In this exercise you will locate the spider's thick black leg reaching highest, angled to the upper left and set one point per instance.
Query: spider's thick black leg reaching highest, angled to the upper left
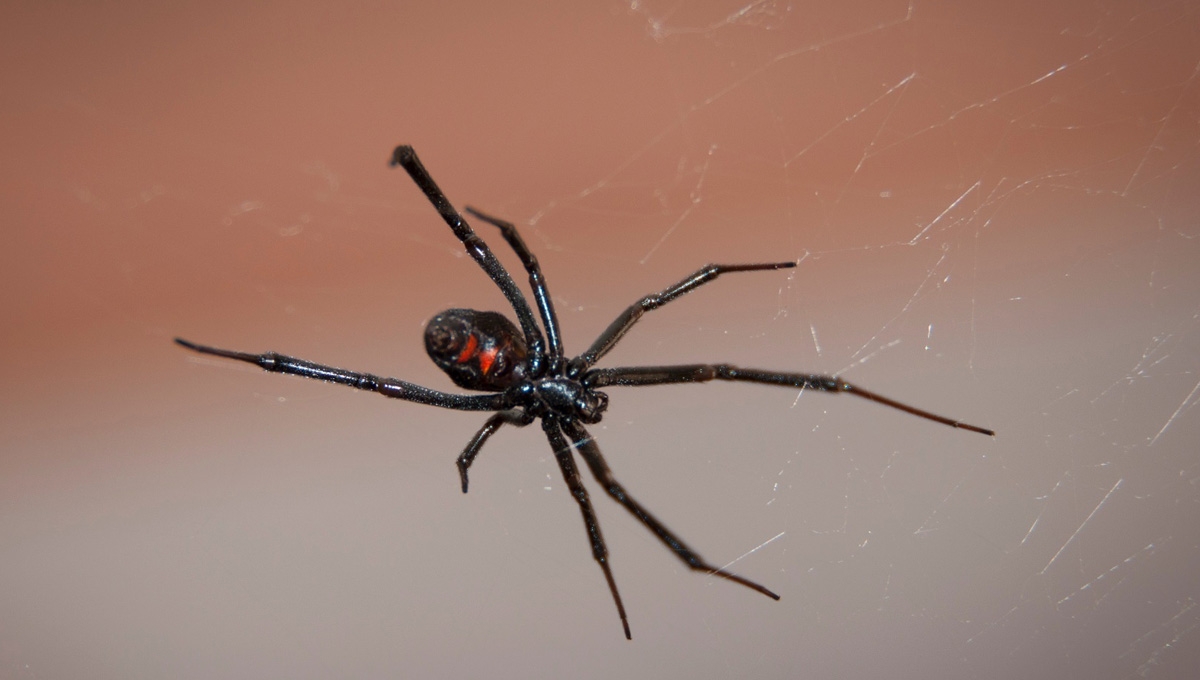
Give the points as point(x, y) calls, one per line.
point(406, 158)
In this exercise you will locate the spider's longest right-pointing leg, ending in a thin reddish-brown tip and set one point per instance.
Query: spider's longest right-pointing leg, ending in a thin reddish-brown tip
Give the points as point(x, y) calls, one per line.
point(706, 372)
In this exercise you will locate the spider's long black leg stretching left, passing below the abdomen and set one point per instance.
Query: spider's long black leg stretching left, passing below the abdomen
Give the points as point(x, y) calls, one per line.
point(392, 388)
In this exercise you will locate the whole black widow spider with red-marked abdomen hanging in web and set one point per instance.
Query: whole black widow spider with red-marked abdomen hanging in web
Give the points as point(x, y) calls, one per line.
point(529, 378)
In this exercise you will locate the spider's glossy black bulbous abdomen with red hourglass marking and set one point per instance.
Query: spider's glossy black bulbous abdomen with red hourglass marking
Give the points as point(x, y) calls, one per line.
point(479, 351)
